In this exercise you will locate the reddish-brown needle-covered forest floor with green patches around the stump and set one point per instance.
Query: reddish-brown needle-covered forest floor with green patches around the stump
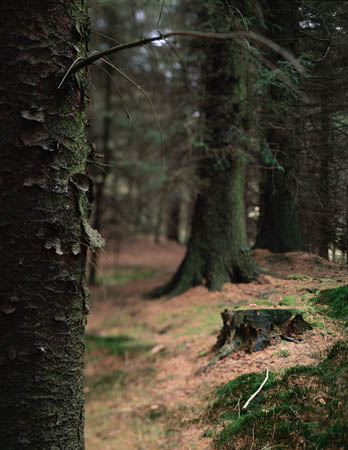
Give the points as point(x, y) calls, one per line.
point(147, 383)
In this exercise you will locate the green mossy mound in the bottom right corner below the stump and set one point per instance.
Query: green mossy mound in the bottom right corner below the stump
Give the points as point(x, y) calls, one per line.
point(307, 407)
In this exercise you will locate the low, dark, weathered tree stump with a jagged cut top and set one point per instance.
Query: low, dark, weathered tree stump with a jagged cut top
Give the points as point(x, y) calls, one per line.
point(254, 329)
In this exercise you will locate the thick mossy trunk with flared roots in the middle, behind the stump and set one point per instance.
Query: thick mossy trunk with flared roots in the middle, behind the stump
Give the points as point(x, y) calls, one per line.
point(218, 249)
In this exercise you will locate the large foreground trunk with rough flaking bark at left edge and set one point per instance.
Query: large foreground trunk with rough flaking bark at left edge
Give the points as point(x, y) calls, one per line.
point(44, 231)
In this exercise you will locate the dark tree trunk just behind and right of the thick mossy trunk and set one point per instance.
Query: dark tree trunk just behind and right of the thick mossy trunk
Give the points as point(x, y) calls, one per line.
point(279, 228)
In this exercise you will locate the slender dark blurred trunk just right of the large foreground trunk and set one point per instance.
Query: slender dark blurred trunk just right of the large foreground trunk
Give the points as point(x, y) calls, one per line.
point(100, 187)
